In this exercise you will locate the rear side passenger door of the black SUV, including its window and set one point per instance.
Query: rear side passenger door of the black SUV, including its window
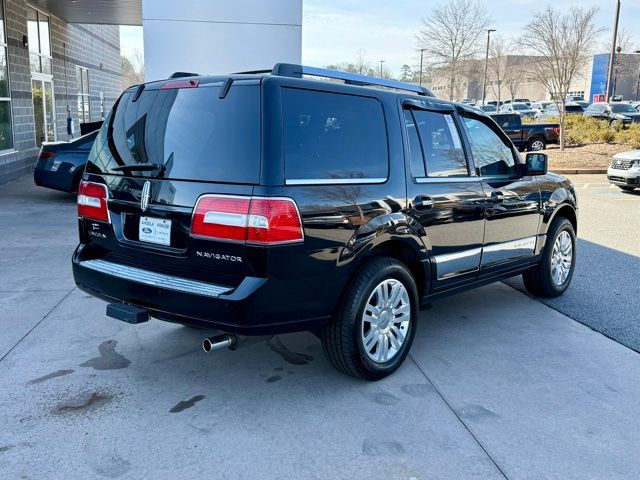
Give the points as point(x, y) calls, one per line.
point(444, 196)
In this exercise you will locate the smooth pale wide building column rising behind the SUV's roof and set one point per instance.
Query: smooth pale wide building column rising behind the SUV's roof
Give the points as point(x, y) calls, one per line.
point(219, 36)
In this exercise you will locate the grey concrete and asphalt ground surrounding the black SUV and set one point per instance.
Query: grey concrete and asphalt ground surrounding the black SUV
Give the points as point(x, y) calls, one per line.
point(498, 385)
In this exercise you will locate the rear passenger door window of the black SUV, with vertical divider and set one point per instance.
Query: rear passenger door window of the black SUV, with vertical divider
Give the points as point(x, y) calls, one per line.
point(441, 144)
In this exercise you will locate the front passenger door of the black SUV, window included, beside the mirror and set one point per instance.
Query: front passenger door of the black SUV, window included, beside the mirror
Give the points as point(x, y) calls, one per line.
point(512, 201)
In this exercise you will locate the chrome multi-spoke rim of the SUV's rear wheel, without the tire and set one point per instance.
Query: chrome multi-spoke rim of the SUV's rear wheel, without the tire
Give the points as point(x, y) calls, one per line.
point(385, 320)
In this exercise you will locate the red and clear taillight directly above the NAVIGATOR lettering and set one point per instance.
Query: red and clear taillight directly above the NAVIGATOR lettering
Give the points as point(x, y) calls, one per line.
point(262, 220)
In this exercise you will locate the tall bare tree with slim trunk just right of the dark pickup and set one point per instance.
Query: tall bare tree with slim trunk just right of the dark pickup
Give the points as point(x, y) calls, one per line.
point(562, 45)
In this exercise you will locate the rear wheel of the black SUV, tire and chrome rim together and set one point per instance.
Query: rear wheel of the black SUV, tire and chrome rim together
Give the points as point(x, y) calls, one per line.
point(344, 338)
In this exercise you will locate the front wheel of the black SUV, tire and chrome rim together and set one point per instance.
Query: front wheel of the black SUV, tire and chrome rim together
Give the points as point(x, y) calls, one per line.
point(543, 280)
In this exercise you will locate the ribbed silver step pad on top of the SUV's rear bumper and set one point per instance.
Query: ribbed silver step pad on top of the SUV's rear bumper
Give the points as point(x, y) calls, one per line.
point(154, 279)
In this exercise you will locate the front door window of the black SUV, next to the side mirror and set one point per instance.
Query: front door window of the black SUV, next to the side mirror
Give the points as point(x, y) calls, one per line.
point(492, 154)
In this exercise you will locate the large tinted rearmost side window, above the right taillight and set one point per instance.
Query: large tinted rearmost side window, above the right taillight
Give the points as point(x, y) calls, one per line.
point(333, 136)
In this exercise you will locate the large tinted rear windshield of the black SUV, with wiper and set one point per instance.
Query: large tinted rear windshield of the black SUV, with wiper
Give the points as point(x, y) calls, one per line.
point(189, 133)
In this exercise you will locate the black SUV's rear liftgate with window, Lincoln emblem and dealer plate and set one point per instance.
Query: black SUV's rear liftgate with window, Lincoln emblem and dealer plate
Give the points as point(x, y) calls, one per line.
point(160, 150)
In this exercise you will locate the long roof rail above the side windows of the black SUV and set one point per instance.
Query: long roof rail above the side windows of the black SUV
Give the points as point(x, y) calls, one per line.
point(292, 70)
